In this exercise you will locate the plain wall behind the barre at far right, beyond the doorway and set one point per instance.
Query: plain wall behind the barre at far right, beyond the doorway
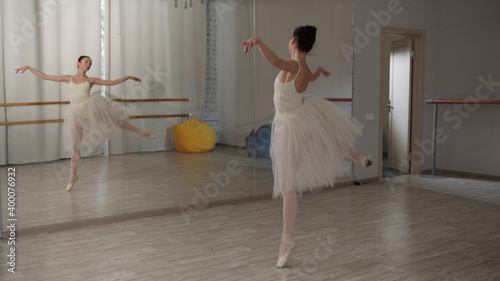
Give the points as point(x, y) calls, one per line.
point(469, 48)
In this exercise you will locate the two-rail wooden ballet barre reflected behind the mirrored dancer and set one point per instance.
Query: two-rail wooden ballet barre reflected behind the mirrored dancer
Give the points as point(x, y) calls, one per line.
point(189, 114)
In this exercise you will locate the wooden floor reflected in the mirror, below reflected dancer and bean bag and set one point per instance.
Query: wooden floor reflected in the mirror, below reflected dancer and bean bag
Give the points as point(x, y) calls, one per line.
point(120, 186)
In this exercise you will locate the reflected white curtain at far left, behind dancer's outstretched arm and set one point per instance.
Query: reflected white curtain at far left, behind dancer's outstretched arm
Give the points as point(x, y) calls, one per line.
point(49, 36)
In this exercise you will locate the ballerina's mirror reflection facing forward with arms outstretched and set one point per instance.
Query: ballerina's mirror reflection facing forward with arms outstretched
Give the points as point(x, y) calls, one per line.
point(90, 119)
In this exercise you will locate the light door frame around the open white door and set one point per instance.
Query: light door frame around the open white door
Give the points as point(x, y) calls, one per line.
point(417, 98)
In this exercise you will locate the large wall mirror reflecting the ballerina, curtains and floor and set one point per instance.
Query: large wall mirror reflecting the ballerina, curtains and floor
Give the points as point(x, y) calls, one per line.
point(189, 58)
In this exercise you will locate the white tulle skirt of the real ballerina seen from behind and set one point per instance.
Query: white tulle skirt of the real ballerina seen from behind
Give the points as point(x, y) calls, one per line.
point(310, 145)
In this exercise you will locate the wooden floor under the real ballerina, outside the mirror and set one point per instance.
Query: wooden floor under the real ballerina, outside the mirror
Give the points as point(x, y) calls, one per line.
point(408, 228)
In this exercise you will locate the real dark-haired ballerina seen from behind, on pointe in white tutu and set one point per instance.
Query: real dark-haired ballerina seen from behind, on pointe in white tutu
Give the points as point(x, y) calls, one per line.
point(311, 137)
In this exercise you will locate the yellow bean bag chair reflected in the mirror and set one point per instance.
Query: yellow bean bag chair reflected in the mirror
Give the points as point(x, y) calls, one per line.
point(194, 136)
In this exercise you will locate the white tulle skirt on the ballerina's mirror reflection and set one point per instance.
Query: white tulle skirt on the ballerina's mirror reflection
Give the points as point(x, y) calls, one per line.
point(89, 123)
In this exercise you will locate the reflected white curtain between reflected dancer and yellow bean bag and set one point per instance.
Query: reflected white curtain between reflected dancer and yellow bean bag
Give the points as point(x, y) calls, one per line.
point(165, 47)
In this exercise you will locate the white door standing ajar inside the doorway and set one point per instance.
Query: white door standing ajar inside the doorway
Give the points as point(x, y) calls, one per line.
point(399, 105)
